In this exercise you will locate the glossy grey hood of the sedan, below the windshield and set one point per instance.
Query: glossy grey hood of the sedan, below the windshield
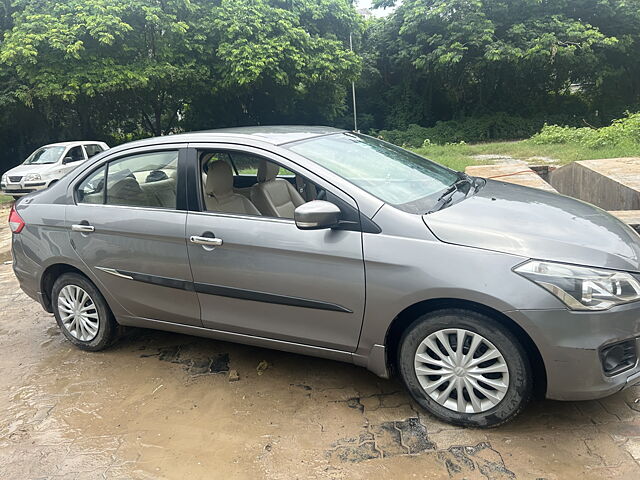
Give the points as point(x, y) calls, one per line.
point(537, 224)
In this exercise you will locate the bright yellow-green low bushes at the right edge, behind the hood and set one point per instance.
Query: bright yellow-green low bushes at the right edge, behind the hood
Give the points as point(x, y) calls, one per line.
point(622, 131)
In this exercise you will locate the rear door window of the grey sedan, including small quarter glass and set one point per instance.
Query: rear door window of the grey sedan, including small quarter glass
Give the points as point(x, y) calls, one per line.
point(143, 180)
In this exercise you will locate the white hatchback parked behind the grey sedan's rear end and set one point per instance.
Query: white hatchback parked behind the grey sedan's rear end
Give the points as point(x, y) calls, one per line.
point(47, 165)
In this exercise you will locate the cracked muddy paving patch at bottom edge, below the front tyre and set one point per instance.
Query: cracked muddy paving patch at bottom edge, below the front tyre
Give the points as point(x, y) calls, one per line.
point(465, 461)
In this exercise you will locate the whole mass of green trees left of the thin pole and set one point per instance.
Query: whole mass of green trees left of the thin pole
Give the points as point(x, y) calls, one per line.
point(117, 70)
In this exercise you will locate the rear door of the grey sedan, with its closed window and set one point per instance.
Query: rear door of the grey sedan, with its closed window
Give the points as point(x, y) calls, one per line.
point(132, 239)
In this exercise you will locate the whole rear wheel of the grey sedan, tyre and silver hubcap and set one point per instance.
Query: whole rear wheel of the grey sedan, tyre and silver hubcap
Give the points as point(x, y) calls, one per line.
point(82, 313)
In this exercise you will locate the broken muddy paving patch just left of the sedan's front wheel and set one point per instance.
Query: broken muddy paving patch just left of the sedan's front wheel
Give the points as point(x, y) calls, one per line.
point(387, 439)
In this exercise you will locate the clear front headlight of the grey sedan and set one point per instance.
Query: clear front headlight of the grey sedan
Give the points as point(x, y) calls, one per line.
point(582, 288)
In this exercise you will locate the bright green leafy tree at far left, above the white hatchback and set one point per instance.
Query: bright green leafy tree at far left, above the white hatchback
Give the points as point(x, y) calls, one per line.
point(145, 55)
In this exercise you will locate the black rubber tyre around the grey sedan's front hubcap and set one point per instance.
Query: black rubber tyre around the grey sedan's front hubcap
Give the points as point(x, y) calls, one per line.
point(520, 382)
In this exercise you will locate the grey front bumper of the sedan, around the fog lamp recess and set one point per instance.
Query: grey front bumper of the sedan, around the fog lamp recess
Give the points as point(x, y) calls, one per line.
point(570, 344)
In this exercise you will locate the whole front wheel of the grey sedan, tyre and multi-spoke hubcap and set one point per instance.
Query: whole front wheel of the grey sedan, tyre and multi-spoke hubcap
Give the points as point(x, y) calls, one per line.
point(465, 368)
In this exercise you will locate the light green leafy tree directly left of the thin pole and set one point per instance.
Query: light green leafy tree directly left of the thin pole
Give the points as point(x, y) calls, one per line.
point(278, 61)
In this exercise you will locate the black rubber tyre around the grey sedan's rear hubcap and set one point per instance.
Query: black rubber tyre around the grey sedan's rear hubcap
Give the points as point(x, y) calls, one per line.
point(107, 331)
